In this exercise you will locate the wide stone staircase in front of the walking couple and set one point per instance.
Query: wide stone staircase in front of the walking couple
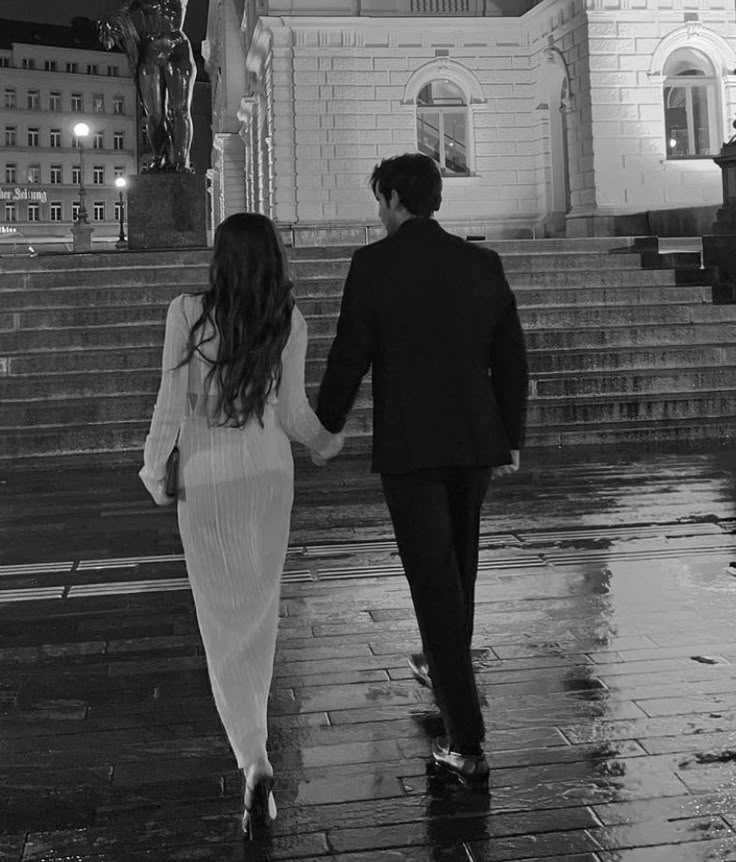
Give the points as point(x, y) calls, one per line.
point(625, 344)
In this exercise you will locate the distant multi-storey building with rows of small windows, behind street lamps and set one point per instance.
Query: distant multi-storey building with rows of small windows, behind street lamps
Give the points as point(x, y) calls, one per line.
point(51, 79)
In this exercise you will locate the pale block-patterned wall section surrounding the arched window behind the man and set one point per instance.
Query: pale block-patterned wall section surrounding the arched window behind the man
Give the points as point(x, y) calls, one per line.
point(344, 98)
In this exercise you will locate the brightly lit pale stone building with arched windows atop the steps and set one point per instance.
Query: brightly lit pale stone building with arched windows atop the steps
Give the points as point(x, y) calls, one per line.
point(565, 117)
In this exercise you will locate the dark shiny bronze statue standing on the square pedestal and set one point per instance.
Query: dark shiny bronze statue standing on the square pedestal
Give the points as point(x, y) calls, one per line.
point(162, 63)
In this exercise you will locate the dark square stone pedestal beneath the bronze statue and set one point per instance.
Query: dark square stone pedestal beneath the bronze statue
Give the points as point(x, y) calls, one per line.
point(167, 210)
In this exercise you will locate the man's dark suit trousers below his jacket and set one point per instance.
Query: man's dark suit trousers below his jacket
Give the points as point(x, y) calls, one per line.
point(436, 518)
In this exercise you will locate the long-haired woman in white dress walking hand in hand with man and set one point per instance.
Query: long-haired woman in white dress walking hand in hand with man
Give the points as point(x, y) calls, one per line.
point(232, 389)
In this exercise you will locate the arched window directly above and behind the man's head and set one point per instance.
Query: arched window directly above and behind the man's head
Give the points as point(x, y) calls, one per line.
point(442, 126)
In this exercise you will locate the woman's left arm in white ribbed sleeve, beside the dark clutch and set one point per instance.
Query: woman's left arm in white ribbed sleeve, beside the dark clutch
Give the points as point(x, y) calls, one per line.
point(170, 408)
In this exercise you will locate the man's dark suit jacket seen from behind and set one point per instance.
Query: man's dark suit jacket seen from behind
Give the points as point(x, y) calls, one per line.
point(436, 318)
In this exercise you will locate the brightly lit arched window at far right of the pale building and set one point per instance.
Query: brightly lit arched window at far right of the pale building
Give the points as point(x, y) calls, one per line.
point(690, 105)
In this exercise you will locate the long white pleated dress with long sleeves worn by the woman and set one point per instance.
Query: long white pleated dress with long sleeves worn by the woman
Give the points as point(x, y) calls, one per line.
point(237, 488)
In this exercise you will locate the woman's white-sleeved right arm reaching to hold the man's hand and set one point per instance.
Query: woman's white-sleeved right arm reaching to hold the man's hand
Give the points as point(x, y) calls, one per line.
point(297, 418)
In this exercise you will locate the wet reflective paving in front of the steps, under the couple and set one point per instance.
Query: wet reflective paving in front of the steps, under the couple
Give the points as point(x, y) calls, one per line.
point(605, 650)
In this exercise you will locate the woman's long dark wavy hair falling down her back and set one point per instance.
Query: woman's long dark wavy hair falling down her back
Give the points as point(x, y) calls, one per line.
point(249, 301)
